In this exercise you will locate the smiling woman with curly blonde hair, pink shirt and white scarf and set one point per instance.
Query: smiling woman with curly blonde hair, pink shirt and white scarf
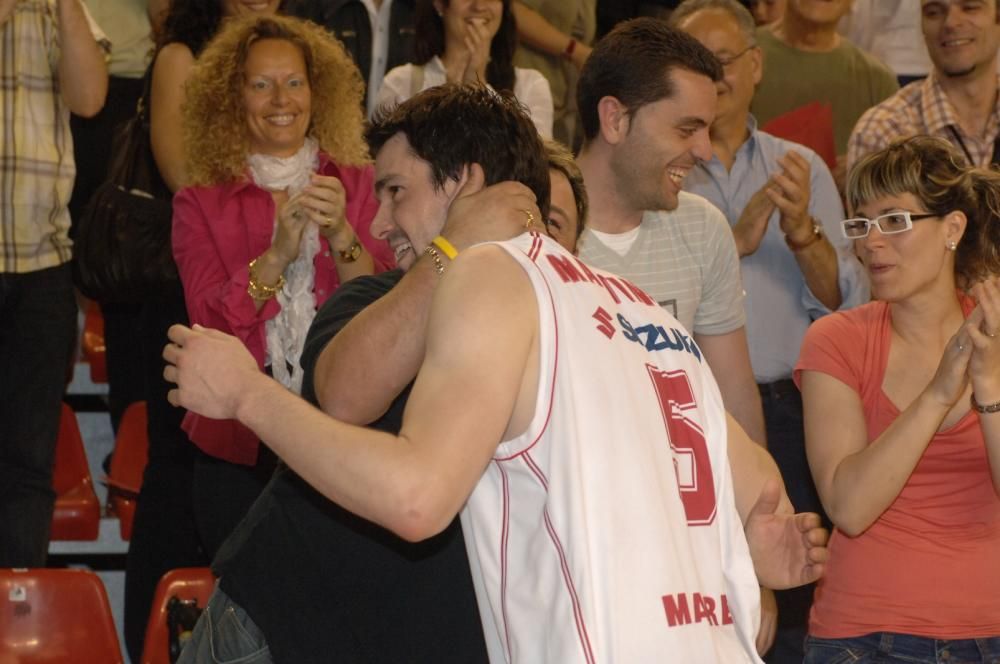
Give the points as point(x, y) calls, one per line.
point(276, 216)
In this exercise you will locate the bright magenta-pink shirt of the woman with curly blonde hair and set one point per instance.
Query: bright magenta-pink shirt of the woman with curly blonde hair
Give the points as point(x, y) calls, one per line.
point(217, 231)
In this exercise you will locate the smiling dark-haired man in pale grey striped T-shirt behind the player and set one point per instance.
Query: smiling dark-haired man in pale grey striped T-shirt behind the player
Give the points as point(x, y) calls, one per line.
point(647, 97)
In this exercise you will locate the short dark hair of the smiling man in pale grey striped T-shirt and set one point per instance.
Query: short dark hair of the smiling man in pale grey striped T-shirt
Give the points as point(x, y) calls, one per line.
point(633, 63)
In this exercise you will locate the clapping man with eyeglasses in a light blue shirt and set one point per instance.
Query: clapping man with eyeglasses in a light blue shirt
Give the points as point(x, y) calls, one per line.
point(785, 212)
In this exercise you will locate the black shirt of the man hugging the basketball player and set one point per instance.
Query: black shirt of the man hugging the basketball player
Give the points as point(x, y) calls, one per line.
point(327, 586)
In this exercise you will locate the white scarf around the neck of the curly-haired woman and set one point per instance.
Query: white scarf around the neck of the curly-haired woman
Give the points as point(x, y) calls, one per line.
point(286, 332)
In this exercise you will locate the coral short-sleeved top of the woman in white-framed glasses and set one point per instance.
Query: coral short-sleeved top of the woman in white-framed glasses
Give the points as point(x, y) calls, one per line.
point(930, 565)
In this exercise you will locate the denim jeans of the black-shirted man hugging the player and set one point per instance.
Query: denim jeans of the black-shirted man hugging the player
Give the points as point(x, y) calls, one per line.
point(225, 634)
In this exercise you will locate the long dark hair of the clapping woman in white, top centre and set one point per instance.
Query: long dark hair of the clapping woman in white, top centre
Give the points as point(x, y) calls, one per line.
point(429, 41)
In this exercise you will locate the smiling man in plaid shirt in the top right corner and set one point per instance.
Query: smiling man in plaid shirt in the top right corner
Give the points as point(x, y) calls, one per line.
point(958, 101)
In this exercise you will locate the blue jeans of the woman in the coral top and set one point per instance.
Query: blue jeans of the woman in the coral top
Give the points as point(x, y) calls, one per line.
point(890, 648)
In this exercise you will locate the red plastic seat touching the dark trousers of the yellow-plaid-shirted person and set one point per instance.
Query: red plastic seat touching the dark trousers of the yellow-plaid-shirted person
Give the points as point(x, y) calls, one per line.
point(77, 514)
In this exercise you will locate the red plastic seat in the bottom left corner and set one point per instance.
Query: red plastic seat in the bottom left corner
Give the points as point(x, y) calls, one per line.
point(56, 616)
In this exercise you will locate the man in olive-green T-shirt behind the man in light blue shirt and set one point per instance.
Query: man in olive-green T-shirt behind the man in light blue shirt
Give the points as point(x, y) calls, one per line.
point(809, 61)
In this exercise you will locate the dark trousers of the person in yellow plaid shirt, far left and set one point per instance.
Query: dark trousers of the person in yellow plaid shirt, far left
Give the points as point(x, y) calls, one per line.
point(37, 337)
